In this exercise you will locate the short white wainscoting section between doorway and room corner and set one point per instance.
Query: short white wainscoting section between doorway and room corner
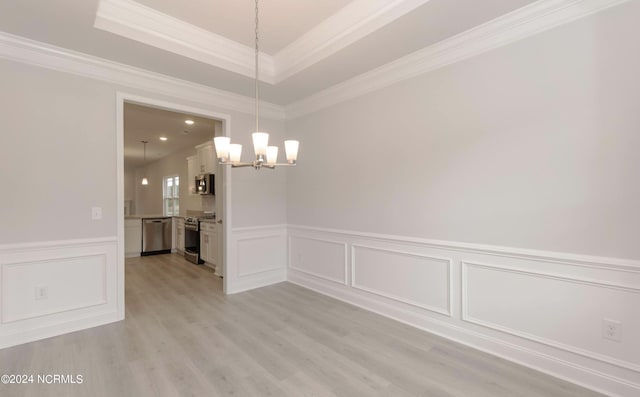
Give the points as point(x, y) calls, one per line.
point(257, 257)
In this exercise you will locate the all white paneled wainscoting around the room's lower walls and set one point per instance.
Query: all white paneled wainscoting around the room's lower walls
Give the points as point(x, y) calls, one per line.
point(540, 309)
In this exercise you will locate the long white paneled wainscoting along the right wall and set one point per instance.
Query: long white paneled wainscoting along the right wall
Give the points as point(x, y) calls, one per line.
point(543, 310)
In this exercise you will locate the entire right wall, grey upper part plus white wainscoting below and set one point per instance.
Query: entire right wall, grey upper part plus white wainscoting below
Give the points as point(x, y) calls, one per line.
point(405, 200)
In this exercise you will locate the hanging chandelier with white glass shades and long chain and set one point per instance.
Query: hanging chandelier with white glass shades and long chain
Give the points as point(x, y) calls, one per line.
point(266, 156)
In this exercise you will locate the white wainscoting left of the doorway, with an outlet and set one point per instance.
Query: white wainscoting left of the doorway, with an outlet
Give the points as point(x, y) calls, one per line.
point(52, 288)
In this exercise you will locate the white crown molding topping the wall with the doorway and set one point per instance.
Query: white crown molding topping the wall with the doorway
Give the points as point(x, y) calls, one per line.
point(20, 49)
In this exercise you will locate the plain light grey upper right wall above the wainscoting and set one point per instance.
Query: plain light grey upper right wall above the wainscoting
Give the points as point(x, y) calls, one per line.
point(532, 145)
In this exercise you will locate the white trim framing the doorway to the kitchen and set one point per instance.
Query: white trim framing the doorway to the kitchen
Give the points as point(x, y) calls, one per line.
point(121, 99)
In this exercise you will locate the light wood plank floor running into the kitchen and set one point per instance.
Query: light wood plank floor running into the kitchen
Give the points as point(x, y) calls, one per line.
point(182, 337)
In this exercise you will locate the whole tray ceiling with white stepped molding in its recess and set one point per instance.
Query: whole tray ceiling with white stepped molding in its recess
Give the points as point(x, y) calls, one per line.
point(308, 45)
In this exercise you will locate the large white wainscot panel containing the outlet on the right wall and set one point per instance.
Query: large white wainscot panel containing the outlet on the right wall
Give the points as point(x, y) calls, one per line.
point(563, 312)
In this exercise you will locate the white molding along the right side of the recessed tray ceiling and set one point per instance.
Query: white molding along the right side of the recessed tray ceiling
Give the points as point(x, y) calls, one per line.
point(355, 21)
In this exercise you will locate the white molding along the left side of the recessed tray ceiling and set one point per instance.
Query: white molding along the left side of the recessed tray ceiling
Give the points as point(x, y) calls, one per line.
point(144, 24)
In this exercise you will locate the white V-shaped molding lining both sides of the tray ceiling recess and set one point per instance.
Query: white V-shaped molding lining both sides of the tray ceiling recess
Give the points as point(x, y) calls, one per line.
point(146, 25)
